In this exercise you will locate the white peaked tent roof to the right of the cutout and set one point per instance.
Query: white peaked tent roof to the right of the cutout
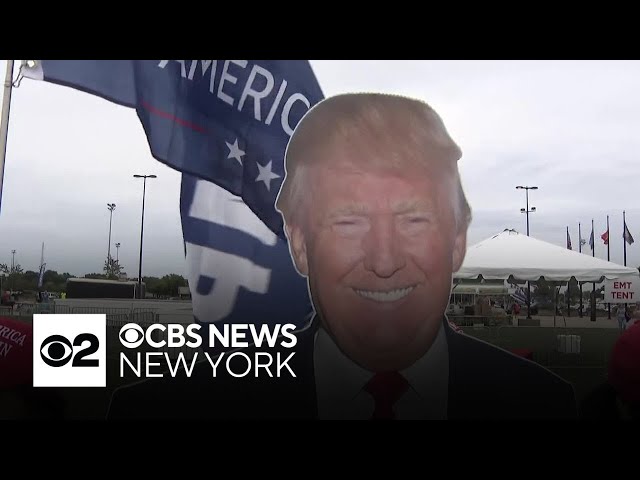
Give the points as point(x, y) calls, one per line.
point(510, 254)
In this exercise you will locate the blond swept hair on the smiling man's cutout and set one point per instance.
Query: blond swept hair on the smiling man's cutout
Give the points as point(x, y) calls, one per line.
point(362, 121)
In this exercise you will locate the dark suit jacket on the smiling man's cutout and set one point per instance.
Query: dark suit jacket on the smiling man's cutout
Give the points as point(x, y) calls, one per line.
point(485, 382)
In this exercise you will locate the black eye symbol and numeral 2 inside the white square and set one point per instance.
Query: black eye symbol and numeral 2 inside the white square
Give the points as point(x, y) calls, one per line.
point(57, 351)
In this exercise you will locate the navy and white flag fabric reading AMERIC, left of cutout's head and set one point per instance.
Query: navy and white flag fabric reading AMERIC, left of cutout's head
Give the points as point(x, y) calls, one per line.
point(225, 125)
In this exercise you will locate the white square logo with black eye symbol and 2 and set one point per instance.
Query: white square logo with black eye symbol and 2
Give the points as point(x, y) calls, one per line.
point(69, 350)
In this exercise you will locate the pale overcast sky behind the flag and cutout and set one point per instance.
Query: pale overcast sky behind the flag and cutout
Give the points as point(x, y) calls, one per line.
point(570, 128)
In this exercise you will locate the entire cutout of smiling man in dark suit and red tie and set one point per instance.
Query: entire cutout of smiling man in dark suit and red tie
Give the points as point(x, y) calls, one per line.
point(376, 219)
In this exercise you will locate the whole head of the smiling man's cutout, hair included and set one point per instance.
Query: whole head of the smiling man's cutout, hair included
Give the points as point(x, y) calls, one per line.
point(377, 220)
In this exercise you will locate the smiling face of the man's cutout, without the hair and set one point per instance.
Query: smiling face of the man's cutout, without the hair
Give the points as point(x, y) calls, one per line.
point(379, 247)
